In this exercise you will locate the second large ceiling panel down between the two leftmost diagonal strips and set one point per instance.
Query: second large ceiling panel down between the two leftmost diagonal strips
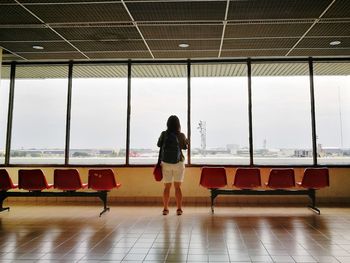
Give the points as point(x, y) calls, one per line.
point(98, 33)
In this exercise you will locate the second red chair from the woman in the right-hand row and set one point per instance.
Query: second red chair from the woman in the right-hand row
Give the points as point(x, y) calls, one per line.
point(247, 178)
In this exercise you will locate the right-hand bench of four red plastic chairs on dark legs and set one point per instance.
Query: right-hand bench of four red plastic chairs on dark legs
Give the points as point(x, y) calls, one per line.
point(280, 182)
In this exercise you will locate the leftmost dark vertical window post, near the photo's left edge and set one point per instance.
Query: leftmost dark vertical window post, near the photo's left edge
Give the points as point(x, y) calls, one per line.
point(10, 113)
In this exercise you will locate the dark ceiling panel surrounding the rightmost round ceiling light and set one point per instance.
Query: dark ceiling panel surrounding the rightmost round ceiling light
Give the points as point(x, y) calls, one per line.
point(323, 43)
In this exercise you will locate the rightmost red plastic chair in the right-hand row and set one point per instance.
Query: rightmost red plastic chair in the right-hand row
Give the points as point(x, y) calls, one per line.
point(315, 178)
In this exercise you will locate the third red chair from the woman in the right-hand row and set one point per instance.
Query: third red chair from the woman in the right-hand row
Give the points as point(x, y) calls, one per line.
point(281, 179)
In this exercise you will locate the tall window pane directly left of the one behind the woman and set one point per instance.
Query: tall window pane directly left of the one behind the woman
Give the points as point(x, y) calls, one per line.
point(98, 116)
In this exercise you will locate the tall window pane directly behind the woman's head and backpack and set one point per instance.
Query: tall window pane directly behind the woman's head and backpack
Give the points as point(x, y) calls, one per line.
point(158, 91)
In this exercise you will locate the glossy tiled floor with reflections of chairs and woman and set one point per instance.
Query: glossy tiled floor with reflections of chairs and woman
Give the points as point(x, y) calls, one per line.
point(75, 233)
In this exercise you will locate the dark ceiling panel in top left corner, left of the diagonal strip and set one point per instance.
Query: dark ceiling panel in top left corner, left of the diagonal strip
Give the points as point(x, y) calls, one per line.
point(15, 14)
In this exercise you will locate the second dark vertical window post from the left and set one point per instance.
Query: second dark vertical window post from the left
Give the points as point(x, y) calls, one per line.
point(69, 108)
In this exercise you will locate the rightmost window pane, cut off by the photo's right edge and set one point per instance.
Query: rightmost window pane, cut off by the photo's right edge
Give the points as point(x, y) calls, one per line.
point(332, 96)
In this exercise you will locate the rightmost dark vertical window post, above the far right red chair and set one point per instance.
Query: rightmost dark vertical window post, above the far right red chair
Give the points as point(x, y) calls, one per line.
point(313, 118)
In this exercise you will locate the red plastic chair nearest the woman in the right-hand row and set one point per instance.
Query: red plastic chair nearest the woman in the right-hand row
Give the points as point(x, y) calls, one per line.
point(213, 177)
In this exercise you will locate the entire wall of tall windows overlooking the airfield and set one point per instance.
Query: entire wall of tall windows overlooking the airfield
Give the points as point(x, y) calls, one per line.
point(280, 100)
